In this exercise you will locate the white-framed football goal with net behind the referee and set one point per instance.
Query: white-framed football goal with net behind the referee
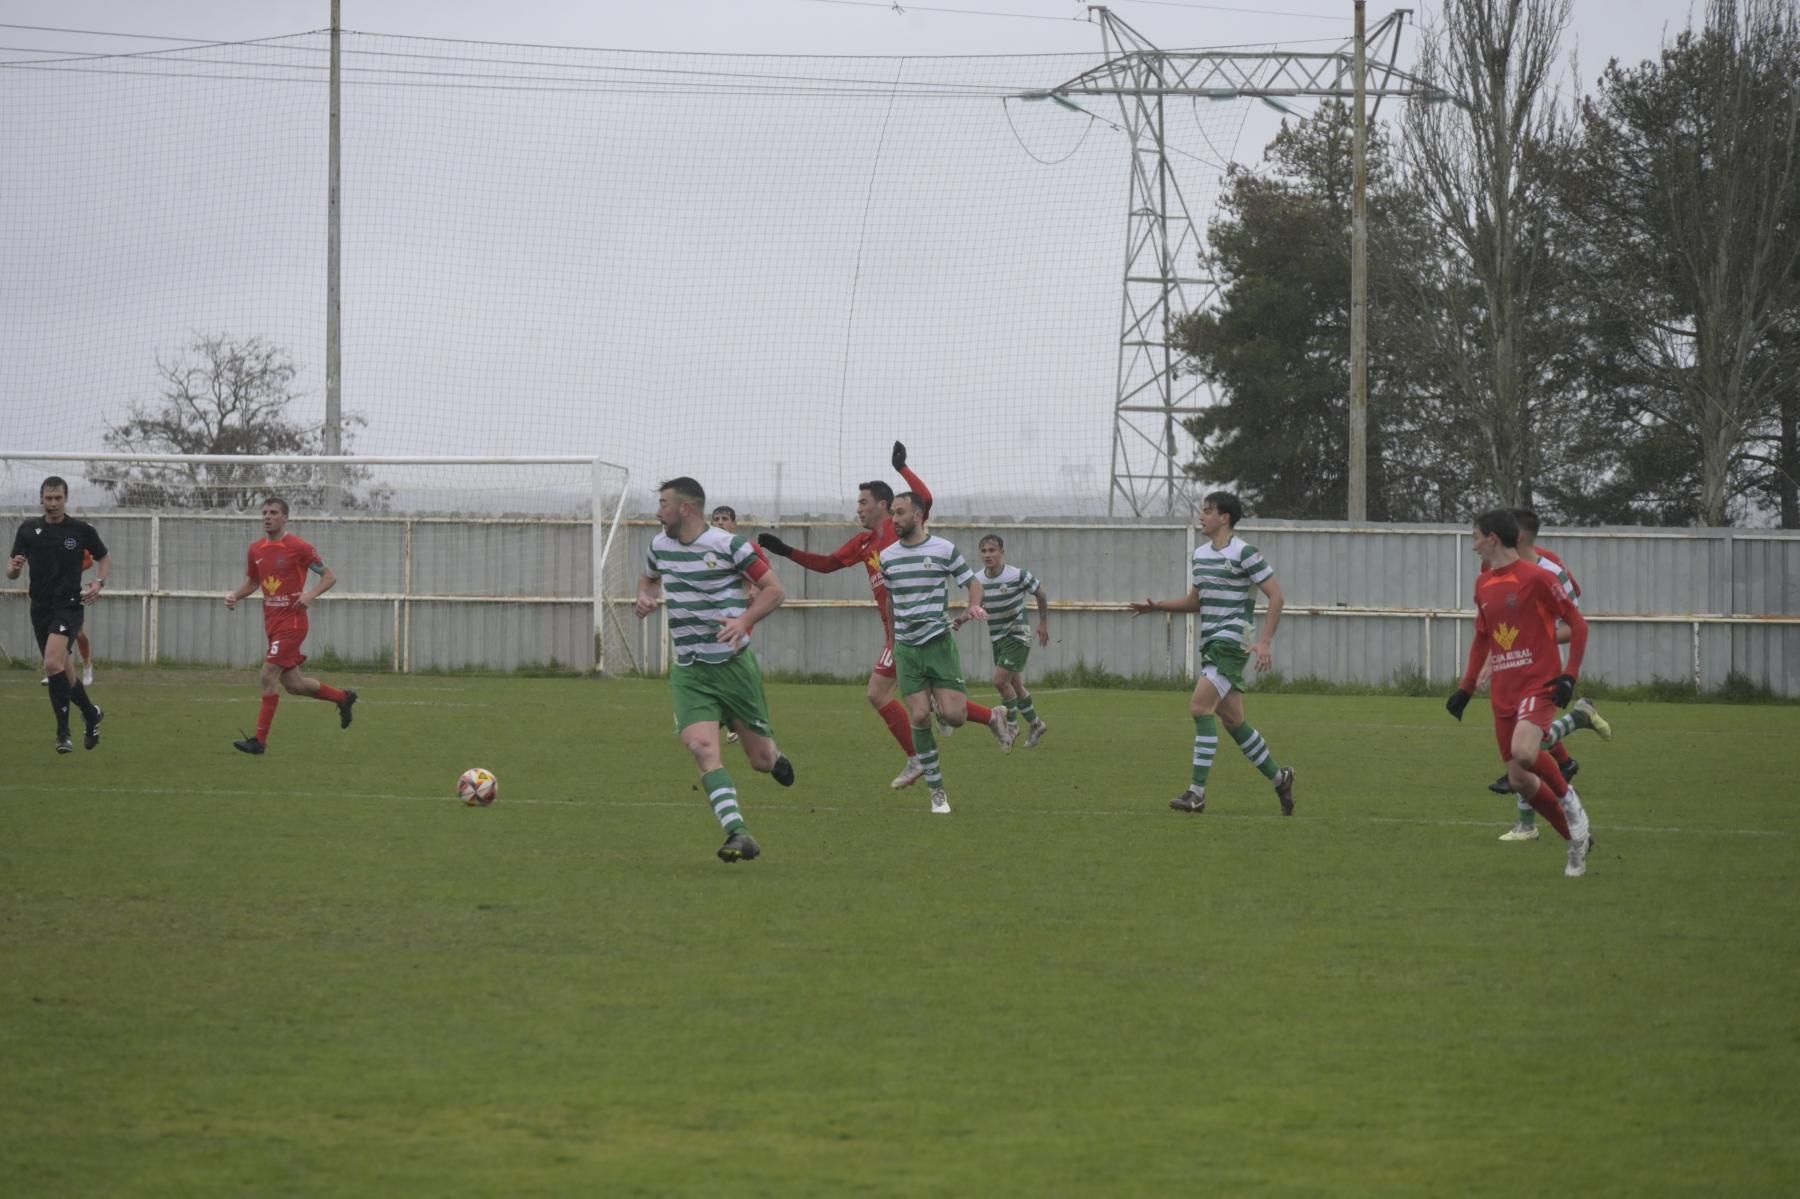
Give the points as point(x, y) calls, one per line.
point(445, 561)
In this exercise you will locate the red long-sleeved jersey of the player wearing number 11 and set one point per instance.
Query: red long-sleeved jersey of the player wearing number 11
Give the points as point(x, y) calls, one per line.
point(1518, 608)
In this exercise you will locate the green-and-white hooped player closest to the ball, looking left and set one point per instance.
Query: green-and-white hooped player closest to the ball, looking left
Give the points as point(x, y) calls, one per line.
point(717, 591)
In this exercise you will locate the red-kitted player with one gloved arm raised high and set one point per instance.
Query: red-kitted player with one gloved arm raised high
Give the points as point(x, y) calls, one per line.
point(867, 548)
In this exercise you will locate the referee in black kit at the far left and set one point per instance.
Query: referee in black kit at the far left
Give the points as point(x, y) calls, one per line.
point(53, 546)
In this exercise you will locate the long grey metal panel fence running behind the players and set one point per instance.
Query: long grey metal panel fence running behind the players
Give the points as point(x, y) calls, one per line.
point(1363, 604)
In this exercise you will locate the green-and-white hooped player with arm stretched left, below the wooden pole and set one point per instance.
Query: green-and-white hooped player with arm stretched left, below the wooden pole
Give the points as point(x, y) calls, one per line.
point(1225, 570)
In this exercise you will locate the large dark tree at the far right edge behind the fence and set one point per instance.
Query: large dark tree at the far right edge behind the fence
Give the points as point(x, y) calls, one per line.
point(1689, 188)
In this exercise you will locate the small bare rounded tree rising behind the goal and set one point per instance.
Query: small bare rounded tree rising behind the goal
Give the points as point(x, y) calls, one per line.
point(224, 395)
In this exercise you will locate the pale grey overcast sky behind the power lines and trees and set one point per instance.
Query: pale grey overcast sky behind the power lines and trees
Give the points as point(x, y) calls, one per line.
point(690, 284)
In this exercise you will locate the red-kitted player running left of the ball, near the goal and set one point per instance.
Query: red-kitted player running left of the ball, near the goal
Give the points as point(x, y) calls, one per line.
point(280, 568)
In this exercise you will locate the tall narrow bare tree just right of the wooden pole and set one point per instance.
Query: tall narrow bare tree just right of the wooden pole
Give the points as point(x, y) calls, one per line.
point(1482, 170)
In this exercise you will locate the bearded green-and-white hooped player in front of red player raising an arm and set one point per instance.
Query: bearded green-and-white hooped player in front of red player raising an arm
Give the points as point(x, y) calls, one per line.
point(919, 570)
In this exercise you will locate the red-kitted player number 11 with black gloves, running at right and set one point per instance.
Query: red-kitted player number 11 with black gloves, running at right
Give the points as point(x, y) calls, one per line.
point(1518, 608)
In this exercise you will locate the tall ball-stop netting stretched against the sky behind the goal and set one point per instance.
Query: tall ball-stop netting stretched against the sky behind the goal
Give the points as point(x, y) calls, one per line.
point(753, 271)
